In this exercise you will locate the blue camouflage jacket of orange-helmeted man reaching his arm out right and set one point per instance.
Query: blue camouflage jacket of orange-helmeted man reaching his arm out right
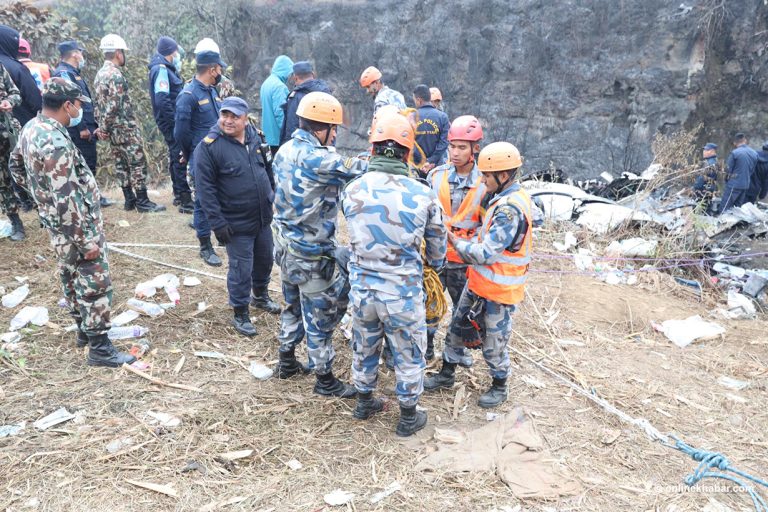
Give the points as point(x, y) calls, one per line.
point(308, 179)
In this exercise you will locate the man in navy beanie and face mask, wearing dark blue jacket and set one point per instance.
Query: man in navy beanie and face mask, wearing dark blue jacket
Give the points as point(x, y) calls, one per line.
point(165, 84)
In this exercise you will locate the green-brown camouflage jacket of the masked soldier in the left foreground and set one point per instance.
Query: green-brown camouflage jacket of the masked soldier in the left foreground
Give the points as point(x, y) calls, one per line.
point(46, 162)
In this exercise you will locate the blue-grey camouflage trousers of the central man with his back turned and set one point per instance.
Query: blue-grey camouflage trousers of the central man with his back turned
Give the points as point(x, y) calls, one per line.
point(378, 316)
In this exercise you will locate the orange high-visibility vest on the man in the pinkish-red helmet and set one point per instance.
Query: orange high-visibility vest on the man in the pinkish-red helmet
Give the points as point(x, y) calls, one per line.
point(467, 219)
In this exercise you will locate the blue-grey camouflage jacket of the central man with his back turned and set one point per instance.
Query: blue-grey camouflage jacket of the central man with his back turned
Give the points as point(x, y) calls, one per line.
point(389, 215)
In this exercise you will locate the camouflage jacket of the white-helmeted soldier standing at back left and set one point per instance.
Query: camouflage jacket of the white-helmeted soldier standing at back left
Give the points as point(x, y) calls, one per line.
point(114, 112)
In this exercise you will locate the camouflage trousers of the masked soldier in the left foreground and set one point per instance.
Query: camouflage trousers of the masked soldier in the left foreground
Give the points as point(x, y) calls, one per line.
point(87, 286)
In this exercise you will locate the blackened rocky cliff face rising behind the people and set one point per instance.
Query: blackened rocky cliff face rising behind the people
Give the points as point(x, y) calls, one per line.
point(582, 85)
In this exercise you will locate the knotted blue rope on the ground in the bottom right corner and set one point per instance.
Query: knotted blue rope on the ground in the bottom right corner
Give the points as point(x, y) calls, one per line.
point(714, 460)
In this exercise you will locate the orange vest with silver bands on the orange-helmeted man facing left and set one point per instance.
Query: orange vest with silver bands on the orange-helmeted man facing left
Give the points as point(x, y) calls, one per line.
point(504, 281)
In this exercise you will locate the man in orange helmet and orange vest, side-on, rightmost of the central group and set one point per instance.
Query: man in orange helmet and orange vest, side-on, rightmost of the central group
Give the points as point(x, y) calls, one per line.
point(496, 278)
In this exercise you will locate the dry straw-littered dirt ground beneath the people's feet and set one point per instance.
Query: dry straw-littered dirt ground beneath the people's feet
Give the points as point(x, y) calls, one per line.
point(618, 355)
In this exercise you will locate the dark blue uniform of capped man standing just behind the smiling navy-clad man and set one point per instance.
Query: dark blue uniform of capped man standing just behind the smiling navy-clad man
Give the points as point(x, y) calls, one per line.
point(197, 110)
